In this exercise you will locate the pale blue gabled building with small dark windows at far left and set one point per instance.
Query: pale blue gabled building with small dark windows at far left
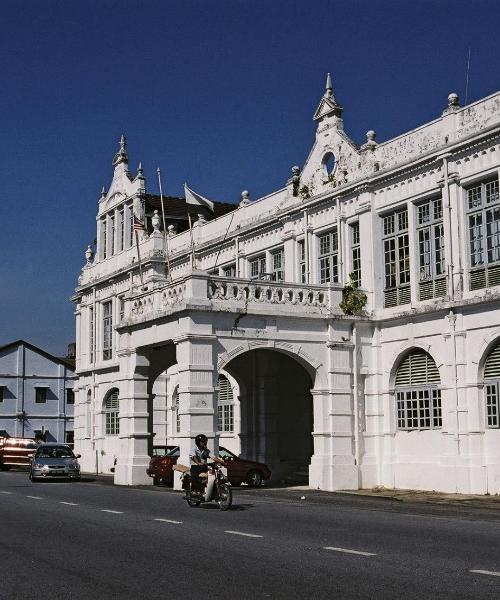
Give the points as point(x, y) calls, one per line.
point(36, 393)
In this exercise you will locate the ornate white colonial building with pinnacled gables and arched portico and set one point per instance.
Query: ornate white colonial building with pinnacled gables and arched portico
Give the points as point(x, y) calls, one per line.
point(236, 329)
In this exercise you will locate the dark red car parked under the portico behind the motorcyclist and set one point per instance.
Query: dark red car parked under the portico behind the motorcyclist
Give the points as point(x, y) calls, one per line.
point(238, 469)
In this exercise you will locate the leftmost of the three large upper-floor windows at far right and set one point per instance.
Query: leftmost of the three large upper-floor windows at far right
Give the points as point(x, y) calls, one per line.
point(396, 259)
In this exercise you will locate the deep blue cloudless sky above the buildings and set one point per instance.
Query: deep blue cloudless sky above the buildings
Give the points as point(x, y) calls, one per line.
point(218, 93)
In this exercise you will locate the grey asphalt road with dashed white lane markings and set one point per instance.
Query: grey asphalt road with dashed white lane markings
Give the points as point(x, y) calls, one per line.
point(87, 540)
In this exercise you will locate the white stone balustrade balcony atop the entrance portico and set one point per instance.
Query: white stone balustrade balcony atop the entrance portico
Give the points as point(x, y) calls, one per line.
point(200, 291)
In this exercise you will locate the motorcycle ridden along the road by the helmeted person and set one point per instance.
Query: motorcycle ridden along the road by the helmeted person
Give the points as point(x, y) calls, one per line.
point(213, 486)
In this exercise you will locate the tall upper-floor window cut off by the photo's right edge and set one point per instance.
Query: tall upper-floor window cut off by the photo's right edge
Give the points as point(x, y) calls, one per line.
point(483, 208)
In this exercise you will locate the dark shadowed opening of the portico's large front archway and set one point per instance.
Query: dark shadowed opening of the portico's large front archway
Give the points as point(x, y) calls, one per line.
point(276, 412)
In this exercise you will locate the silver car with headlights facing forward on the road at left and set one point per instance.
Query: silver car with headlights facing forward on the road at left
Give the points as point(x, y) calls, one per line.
point(54, 461)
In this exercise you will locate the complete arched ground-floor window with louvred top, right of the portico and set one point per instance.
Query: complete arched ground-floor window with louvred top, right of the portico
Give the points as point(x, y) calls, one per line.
point(418, 398)
